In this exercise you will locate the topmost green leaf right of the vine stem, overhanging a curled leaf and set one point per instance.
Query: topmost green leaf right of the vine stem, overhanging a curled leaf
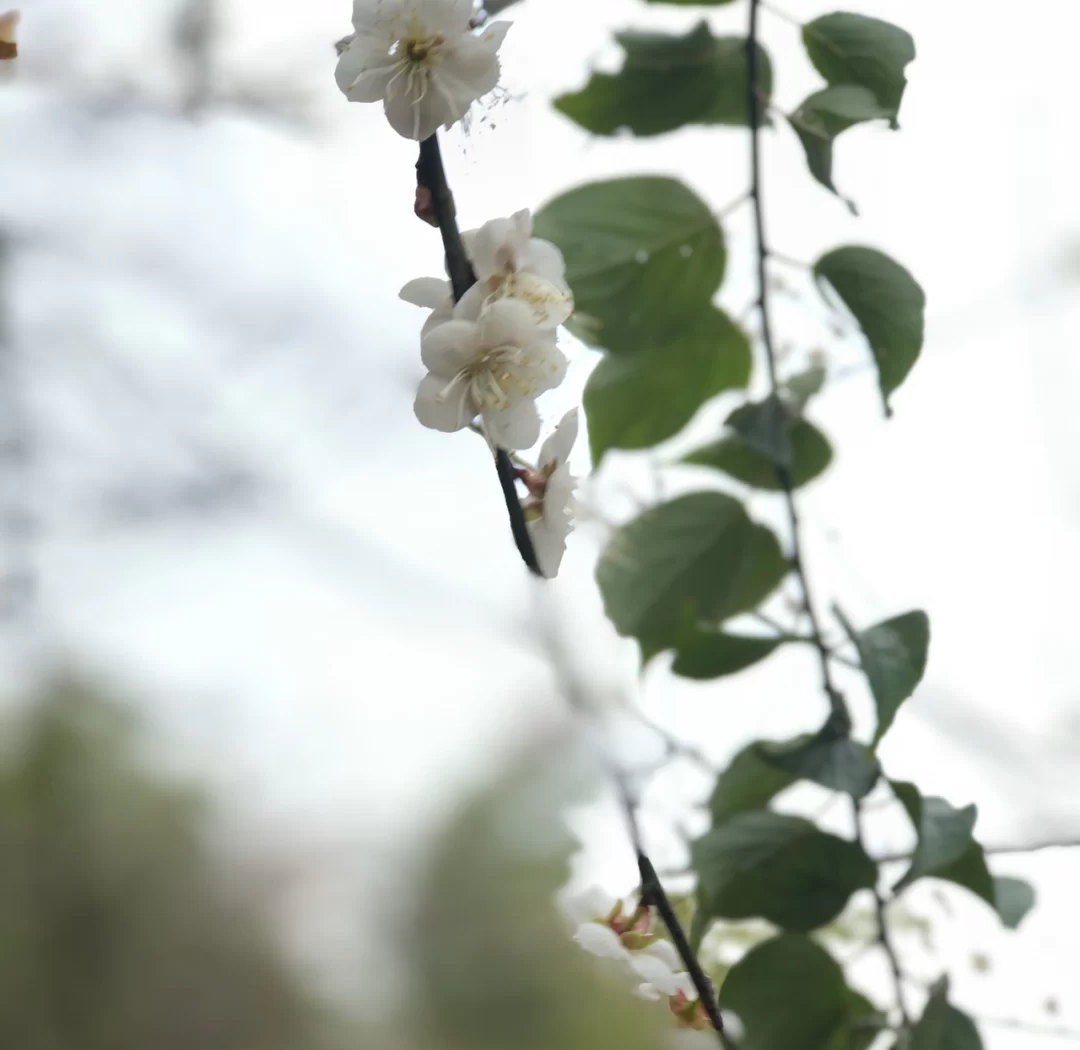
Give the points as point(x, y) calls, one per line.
point(853, 49)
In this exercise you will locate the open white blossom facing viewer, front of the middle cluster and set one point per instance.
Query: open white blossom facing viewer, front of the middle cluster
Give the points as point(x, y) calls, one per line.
point(495, 369)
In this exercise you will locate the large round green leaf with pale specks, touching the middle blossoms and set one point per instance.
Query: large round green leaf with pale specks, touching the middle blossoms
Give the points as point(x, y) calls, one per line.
point(644, 258)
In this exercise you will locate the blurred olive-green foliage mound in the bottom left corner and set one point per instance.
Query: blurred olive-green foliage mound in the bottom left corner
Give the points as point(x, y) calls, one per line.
point(118, 928)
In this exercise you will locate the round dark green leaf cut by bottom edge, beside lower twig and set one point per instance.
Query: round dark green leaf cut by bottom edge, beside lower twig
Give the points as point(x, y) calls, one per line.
point(790, 994)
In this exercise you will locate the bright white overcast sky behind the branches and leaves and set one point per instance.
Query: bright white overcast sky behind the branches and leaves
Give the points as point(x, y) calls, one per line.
point(344, 657)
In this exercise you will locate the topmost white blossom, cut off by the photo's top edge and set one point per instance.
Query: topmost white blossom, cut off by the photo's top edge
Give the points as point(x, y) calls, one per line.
point(421, 59)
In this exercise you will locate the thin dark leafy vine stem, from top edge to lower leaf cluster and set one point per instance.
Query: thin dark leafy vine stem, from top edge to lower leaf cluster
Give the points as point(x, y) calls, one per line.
point(784, 473)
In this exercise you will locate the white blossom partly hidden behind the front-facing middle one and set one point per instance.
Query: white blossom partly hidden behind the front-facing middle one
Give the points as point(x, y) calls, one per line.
point(509, 263)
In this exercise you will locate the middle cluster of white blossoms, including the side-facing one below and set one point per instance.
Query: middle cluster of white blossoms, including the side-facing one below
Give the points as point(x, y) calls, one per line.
point(491, 355)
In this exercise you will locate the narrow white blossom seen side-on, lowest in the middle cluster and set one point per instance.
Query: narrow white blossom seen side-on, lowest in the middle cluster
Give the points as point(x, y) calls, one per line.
point(549, 510)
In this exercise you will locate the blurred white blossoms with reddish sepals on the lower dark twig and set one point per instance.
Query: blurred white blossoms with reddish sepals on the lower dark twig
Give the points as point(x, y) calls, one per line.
point(604, 928)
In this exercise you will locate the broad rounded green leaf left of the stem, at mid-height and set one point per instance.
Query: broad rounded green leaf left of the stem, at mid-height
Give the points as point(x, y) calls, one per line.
point(701, 551)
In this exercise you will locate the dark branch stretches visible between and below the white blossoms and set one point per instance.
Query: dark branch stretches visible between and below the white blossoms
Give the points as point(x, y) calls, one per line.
point(431, 176)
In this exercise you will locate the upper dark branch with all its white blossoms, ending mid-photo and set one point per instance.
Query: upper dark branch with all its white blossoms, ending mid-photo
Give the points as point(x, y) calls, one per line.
point(491, 341)
